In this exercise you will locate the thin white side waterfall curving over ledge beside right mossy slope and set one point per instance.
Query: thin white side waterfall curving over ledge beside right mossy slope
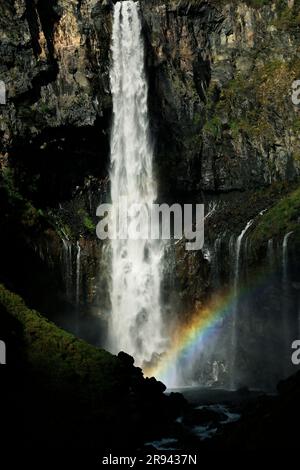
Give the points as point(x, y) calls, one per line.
point(236, 280)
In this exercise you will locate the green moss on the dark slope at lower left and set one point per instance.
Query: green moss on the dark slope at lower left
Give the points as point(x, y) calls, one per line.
point(52, 350)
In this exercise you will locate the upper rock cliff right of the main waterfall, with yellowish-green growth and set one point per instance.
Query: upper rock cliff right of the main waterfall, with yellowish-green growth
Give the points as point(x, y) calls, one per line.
point(221, 77)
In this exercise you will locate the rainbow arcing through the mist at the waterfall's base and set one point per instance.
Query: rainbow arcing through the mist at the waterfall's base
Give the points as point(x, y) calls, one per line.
point(189, 339)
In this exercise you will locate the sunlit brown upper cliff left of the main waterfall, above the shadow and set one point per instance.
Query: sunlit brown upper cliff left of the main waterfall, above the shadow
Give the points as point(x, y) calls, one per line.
point(52, 56)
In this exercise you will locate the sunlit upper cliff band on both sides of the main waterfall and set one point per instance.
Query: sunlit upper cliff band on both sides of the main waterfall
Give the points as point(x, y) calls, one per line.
point(220, 77)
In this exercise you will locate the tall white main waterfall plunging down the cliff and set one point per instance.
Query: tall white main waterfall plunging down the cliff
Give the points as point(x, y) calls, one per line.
point(136, 319)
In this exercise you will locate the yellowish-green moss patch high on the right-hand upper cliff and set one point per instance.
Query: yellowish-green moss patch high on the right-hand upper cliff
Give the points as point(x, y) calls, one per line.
point(250, 104)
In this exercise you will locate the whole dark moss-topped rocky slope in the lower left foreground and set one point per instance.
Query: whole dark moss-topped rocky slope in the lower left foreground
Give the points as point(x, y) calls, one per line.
point(71, 394)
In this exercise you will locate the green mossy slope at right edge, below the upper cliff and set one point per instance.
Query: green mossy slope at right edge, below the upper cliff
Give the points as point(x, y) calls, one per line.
point(282, 218)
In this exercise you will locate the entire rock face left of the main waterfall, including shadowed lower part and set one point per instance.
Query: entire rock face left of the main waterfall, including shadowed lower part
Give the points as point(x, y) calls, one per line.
point(54, 144)
